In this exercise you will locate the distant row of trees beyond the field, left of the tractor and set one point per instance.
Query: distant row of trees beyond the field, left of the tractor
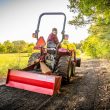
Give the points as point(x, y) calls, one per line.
point(19, 46)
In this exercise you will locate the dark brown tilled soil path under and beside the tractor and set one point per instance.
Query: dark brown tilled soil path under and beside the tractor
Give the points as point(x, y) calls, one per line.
point(88, 90)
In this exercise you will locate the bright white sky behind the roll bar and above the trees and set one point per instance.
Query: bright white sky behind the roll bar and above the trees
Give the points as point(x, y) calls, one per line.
point(18, 20)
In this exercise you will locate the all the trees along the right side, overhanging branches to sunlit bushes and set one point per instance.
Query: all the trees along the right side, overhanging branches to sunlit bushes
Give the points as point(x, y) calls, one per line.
point(96, 13)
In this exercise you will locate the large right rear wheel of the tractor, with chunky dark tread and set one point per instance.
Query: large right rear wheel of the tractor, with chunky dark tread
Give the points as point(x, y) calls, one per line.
point(64, 68)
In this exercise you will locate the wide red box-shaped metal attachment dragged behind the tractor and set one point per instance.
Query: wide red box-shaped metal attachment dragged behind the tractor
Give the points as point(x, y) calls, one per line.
point(40, 83)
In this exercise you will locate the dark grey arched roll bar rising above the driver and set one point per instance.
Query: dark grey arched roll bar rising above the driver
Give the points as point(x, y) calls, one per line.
point(51, 13)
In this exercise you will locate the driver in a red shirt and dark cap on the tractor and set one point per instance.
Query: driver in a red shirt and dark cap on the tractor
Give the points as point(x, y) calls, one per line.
point(53, 37)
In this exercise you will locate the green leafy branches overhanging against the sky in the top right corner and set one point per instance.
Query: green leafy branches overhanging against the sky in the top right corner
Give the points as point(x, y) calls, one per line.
point(90, 11)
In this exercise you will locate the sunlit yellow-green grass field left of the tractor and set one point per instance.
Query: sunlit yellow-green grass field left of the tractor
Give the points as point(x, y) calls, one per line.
point(12, 61)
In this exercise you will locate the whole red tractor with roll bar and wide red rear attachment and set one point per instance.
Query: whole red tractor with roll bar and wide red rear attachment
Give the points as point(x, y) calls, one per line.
point(47, 69)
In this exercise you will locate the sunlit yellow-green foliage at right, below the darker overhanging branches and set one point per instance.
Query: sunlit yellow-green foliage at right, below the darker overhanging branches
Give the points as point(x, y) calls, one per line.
point(99, 40)
